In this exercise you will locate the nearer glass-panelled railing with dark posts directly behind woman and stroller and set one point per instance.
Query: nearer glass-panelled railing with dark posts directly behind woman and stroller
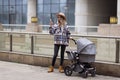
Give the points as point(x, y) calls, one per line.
point(42, 44)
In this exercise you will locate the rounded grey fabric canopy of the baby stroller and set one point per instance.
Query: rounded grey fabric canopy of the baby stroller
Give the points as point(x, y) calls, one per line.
point(85, 46)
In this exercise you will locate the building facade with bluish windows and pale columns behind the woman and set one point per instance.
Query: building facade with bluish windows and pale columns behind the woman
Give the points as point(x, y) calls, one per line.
point(78, 12)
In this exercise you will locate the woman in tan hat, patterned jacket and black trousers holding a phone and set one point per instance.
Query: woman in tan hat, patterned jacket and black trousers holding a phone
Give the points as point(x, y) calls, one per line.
point(61, 39)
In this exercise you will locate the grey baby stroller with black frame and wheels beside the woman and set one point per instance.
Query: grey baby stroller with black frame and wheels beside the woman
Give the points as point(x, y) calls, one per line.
point(82, 58)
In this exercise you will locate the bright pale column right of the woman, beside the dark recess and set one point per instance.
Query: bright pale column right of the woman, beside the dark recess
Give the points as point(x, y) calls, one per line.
point(80, 15)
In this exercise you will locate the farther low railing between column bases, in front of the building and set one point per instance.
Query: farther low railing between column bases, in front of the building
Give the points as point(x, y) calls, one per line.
point(45, 28)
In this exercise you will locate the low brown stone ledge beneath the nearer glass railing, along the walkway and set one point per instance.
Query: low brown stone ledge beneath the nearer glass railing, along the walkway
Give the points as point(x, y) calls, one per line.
point(103, 68)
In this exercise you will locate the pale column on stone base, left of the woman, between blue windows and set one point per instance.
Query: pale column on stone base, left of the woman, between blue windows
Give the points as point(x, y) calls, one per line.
point(31, 12)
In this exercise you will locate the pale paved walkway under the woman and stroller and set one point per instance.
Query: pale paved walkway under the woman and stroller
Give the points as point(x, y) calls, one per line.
point(15, 71)
